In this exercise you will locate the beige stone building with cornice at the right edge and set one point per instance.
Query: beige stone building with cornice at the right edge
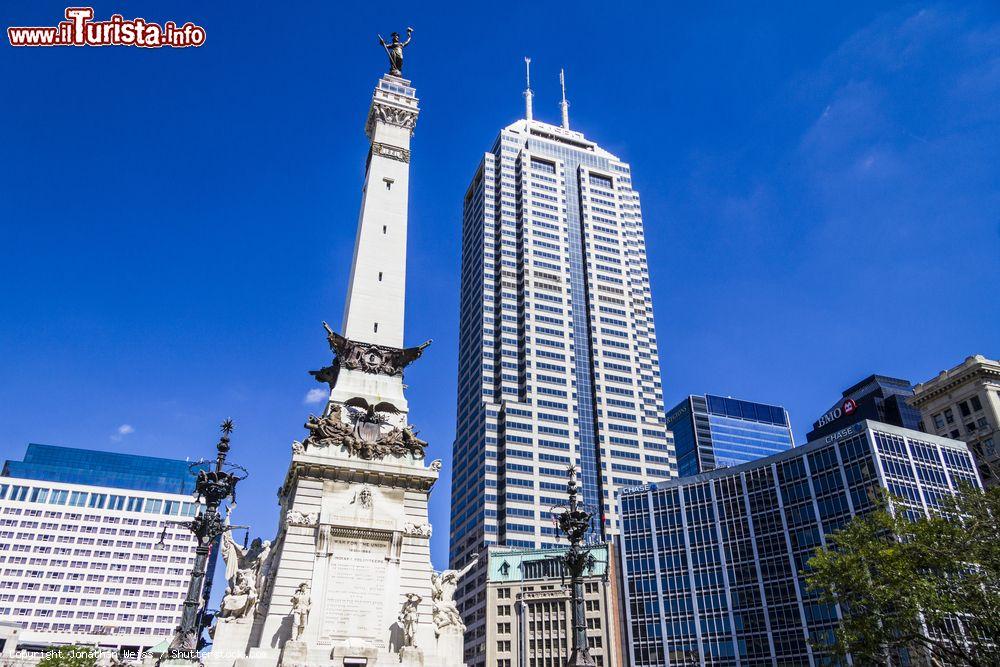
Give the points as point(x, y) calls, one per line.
point(964, 403)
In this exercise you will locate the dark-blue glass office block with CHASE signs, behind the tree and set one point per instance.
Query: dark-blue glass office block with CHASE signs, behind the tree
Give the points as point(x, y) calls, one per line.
point(711, 563)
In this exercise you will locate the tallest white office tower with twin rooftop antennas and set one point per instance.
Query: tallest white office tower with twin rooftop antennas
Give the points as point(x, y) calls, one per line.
point(557, 349)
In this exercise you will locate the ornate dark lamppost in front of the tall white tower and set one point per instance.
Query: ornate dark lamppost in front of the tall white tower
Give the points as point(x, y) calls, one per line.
point(573, 520)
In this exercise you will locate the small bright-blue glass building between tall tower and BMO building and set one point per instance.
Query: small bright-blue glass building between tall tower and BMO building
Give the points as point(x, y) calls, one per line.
point(715, 432)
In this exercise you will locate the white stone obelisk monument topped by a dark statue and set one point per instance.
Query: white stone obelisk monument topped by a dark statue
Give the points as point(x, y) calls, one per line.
point(348, 579)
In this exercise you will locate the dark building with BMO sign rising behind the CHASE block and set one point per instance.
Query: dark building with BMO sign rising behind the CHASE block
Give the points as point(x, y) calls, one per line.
point(877, 397)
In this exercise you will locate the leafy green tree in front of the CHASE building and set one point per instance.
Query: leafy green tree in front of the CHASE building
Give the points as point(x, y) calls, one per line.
point(926, 587)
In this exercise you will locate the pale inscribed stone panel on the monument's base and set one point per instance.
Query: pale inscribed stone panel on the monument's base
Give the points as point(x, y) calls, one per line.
point(356, 589)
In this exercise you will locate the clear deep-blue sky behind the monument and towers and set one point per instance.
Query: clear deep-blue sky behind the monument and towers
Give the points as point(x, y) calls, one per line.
point(820, 187)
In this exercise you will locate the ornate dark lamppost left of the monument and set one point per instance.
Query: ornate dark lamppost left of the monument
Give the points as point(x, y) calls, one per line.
point(211, 488)
